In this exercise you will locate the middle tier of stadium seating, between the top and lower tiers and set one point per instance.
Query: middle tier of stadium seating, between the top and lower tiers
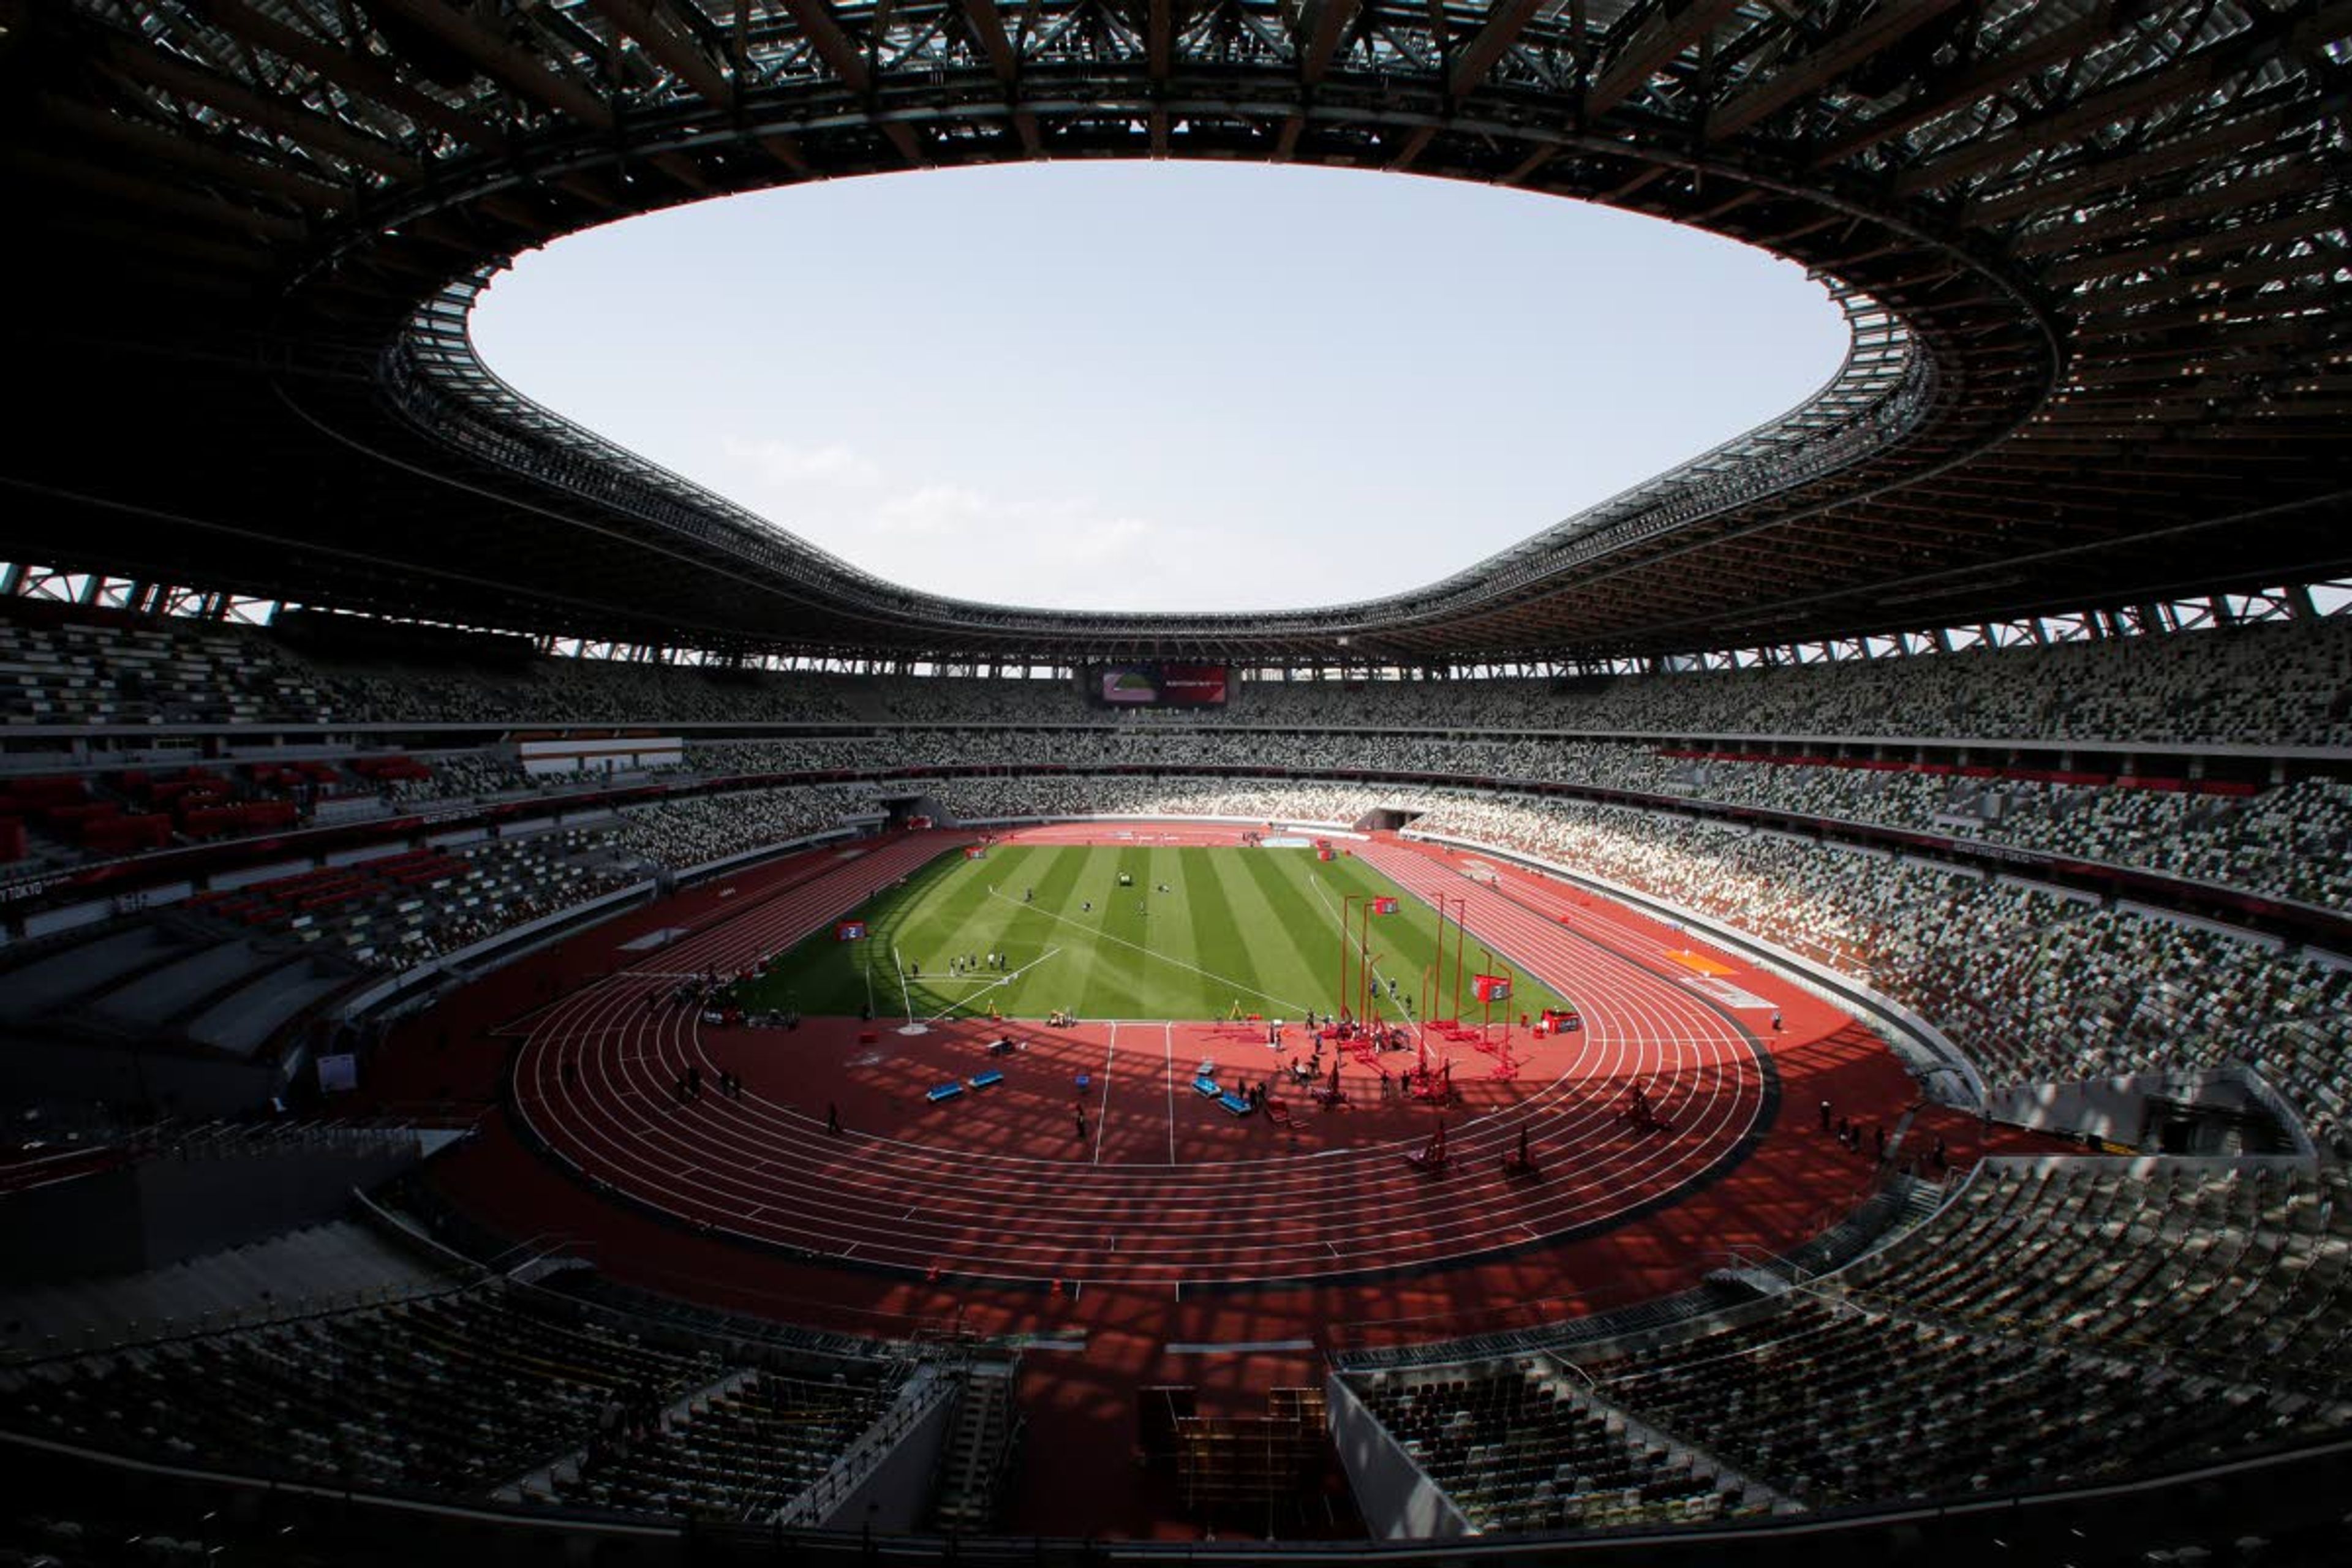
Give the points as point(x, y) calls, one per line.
point(2280, 843)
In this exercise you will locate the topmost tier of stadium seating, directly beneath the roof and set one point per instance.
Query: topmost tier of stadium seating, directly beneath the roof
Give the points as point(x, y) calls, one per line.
point(2254, 685)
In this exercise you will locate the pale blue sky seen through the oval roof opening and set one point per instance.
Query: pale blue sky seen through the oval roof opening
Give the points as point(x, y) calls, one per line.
point(1158, 387)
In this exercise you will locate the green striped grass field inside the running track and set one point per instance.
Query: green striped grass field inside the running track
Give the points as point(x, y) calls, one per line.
point(1238, 925)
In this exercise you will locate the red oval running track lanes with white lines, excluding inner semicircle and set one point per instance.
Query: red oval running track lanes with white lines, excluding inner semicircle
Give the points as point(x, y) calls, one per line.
point(766, 1172)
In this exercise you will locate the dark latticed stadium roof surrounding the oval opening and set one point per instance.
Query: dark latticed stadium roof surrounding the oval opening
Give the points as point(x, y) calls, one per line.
point(2092, 253)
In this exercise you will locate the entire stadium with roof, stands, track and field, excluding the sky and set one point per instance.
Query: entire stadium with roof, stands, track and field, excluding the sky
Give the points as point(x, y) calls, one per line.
point(1800, 1010)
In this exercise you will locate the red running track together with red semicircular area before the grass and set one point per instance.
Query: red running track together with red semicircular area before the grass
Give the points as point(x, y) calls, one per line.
point(1154, 1188)
